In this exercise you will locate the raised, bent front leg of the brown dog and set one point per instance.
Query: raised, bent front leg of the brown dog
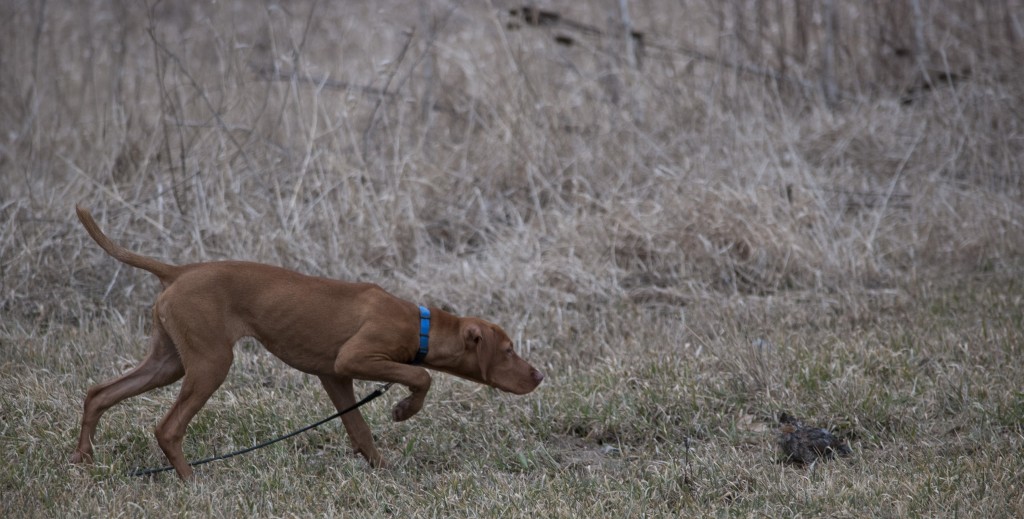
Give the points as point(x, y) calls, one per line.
point(352, 364)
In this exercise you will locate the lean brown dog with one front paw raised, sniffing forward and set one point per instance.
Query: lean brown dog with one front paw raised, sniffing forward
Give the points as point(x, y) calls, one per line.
point(334, 330)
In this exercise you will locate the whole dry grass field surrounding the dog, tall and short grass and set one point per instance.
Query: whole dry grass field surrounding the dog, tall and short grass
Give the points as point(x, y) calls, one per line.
point(693, 215)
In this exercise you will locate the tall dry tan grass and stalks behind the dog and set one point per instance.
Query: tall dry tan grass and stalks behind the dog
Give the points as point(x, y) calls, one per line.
point(401, 141)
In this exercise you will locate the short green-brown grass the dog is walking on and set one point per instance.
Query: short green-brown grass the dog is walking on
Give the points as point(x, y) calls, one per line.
point(925, 397)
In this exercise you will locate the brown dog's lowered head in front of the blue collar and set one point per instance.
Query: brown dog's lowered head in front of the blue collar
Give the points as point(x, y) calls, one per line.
point(492, 360)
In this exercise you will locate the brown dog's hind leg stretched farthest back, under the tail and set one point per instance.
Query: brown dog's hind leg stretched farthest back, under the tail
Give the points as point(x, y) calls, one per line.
point(161, 367)
